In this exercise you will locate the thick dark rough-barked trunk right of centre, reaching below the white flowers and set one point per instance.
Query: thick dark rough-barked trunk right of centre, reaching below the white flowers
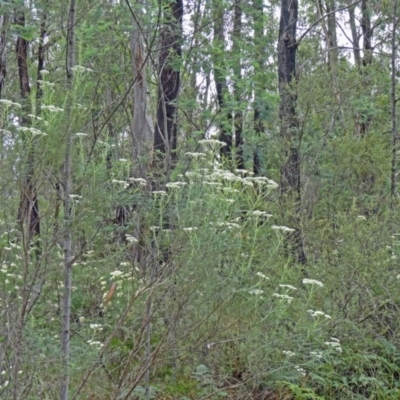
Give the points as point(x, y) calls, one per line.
point(290, 172)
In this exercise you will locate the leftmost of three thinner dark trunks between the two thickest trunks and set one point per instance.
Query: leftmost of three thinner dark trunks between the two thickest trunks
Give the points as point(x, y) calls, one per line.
point(221, 87)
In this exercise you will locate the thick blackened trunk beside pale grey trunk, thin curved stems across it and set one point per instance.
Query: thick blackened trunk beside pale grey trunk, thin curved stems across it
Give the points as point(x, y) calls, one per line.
point(165, 134)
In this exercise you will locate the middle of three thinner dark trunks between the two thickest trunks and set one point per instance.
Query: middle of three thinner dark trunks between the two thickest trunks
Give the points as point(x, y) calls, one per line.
point(238, 121)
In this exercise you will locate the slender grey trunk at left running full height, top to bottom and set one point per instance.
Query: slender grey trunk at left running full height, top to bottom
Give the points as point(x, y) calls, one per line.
point(67, 182)
